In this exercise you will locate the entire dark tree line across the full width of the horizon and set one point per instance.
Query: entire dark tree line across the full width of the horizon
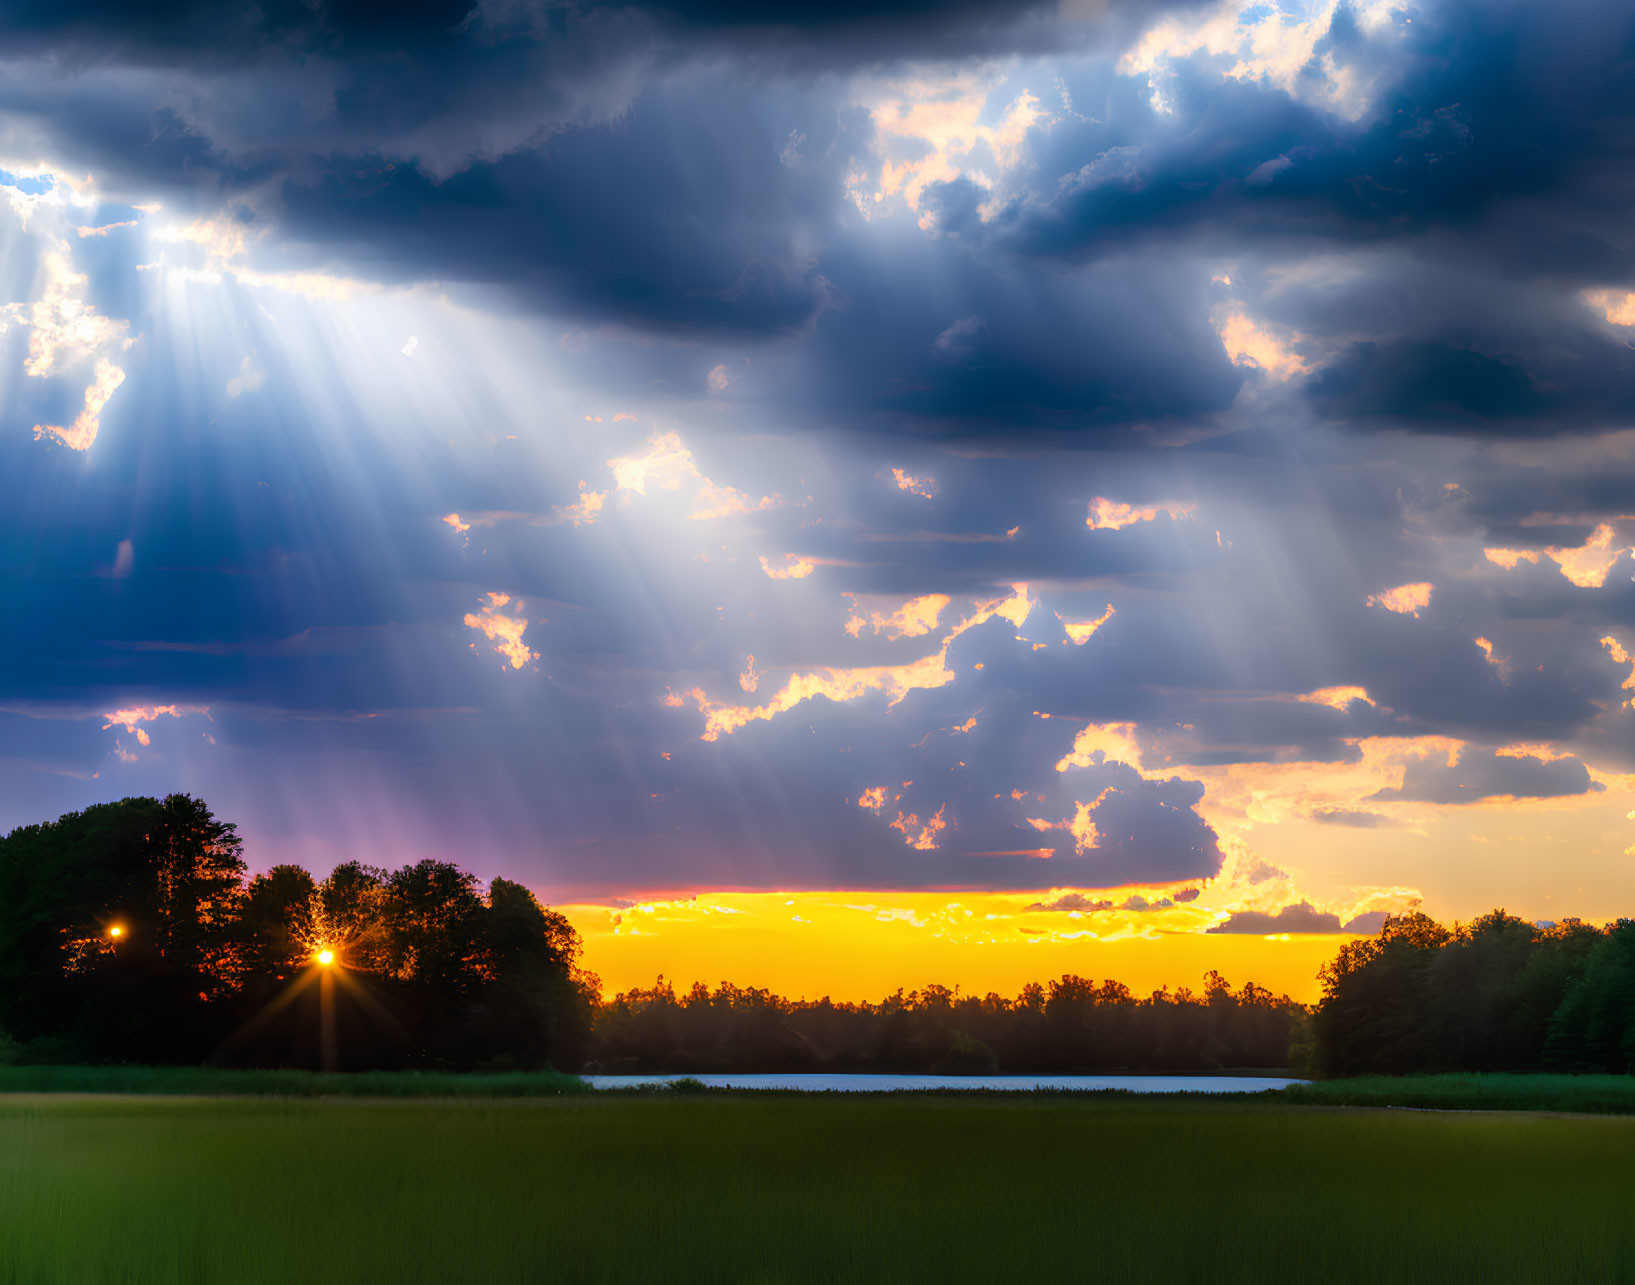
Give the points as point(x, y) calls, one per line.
point(135, 933)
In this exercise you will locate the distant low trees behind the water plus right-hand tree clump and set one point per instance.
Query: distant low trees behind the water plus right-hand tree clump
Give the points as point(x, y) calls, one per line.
point(1495, 995)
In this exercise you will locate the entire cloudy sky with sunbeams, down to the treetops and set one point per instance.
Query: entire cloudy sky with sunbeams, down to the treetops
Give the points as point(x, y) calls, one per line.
point(880, 495)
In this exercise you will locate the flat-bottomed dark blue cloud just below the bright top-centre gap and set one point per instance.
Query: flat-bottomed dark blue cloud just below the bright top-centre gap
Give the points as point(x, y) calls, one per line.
point(964, 346)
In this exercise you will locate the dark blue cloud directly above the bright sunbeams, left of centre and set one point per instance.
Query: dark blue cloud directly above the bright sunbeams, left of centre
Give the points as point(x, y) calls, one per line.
point(591, 223)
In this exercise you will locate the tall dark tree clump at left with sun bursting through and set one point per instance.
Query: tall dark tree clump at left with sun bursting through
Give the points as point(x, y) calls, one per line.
point(133, 933)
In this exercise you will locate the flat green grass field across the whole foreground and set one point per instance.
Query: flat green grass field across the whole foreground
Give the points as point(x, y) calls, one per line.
point(668, 1188)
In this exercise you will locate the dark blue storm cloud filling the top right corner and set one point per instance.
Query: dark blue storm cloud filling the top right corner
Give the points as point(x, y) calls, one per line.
point(1507, 120)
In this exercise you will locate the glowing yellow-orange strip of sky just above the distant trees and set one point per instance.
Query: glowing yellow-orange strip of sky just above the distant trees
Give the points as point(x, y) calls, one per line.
point(1456, 861)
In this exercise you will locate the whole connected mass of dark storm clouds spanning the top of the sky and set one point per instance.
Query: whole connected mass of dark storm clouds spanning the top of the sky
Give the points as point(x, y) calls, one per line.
point(635, 166)
